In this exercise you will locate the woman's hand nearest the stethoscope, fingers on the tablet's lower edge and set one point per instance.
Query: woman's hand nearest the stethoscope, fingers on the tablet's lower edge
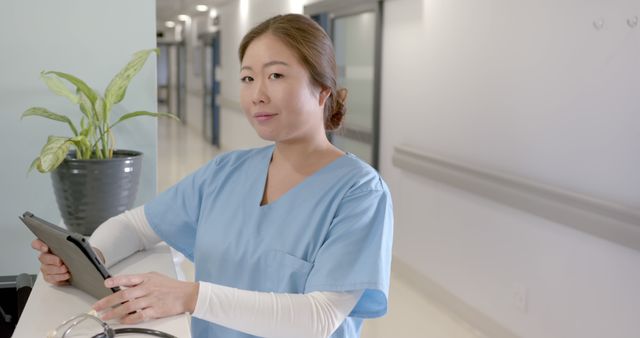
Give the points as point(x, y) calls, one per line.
point(147, 296)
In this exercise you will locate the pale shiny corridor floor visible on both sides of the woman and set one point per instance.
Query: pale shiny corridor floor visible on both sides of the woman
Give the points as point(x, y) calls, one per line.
point(182, 150)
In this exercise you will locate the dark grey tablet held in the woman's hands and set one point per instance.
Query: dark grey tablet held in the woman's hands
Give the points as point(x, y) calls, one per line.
point(87, 272)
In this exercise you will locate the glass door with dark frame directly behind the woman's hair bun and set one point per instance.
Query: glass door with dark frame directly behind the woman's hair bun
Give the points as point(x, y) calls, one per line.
point(356, 33)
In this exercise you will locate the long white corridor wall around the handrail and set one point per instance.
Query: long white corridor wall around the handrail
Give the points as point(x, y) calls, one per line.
point(532, 89)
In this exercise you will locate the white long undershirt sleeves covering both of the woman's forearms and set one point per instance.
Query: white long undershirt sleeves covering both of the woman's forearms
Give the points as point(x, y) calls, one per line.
point(315, 314)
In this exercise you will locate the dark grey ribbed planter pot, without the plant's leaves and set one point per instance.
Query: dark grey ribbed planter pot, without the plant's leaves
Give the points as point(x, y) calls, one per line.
point(89, 192)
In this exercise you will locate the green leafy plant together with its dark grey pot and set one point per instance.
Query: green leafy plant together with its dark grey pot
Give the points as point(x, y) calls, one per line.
point(92, 180)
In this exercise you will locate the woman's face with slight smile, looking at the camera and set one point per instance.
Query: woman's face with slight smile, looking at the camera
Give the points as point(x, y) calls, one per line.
point(277, 95)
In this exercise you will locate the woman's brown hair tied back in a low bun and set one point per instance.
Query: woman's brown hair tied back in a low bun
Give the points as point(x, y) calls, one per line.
point(313, 47)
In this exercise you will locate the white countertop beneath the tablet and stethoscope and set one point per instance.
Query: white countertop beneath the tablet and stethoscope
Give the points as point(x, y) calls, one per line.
point(49, 305)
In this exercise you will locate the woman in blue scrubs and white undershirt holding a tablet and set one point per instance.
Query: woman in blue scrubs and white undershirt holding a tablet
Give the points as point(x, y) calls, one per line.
point(289, 240)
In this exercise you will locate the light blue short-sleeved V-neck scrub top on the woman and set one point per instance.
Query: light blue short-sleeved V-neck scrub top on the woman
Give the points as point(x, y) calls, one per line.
point(331, 232)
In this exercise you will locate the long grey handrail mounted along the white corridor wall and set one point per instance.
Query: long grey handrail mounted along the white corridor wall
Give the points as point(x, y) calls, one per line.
point(604, 219)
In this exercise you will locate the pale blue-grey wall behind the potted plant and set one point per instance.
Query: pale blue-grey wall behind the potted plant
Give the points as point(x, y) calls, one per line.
point(92, 40)
